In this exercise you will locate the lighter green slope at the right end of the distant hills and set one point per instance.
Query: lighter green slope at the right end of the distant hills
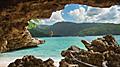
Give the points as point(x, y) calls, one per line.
point(101, 29)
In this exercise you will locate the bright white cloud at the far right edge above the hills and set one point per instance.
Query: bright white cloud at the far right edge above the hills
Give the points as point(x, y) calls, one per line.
point(111, 15)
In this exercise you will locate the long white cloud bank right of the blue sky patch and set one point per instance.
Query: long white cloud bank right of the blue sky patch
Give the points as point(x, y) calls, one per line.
point(98, 15)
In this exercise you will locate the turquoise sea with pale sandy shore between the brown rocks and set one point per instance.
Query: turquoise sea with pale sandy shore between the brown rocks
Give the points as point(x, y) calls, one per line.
point(51, 49)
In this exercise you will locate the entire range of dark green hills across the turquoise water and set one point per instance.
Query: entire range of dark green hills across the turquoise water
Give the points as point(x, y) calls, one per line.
point(76, 29)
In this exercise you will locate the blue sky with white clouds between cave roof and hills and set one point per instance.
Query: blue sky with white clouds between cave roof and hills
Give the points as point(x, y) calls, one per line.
point(85, 14)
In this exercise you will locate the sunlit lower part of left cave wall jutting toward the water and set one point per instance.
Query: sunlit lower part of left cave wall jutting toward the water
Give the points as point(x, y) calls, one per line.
point(16, 39)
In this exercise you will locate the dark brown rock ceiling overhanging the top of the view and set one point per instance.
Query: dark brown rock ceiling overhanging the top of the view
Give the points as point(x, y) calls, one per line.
point(24, 10)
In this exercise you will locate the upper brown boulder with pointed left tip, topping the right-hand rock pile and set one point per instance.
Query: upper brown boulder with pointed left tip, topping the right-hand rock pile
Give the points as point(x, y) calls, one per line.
point(108, 42)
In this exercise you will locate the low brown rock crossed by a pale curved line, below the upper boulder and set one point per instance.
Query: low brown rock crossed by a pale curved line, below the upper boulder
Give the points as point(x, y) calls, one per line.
point(84, 56)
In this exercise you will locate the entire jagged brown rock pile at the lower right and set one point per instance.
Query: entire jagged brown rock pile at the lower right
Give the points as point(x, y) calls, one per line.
point(102, 52)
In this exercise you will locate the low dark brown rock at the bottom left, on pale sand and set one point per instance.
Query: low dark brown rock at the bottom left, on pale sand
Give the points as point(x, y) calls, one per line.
point(31, 61)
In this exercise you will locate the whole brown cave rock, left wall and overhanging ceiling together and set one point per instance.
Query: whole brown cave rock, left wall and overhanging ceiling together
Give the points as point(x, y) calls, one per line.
point(14, 15)
